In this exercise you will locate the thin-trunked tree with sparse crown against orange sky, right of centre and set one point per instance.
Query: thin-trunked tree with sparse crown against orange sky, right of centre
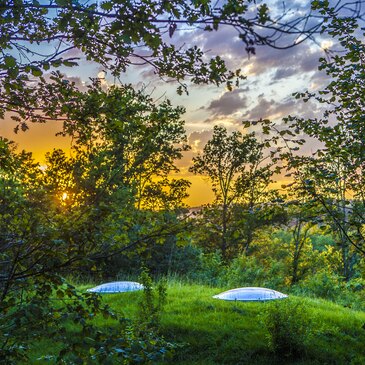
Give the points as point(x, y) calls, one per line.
point(235, 165)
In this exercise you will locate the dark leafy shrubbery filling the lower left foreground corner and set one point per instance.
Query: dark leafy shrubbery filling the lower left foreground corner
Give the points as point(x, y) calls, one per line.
point(52, 307)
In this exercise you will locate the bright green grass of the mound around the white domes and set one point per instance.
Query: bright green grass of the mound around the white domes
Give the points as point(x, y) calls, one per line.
point(214, 332)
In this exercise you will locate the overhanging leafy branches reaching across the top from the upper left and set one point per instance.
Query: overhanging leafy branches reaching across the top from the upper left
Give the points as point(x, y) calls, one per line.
point(37, 38)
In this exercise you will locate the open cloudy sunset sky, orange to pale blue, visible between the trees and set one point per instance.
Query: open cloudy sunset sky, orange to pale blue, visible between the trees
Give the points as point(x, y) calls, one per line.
point(272, 77)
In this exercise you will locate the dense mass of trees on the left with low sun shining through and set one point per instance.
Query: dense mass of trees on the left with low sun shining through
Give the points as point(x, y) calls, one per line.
point(88, 203)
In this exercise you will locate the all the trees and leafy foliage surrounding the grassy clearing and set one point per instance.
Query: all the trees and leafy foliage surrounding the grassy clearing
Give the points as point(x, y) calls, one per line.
point(111, 209)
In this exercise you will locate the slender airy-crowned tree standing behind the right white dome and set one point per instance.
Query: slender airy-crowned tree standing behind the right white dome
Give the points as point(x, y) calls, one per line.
point(235, 166)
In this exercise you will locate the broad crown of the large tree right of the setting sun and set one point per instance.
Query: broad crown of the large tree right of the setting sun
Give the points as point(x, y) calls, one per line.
point(128, 140)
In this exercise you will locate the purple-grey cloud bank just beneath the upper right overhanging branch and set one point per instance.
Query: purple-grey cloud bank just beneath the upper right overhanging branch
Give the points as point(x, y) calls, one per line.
point(283, 62)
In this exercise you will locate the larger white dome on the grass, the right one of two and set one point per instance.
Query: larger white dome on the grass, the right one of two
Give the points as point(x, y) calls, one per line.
point(250, 294)
